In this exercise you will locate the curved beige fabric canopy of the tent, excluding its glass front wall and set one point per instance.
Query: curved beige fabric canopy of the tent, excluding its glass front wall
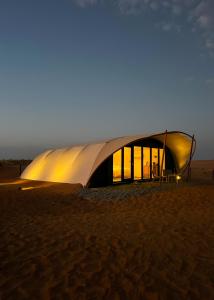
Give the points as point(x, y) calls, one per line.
point(77, 164)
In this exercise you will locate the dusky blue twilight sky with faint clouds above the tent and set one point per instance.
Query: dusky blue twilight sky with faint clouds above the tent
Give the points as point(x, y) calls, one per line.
point(73, 71)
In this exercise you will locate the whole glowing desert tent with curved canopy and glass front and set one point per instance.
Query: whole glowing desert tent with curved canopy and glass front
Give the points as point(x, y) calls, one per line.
point(121, 159)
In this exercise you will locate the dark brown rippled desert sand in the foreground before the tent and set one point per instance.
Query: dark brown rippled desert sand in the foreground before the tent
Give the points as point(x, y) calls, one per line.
point(139, 241)
